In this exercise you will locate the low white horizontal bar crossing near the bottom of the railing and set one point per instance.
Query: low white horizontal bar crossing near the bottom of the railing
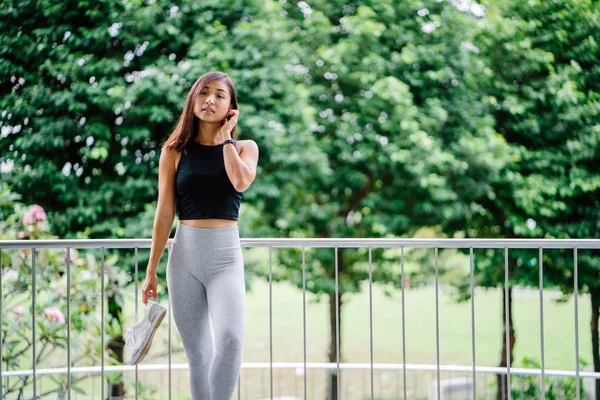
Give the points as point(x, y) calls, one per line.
point(300, 365)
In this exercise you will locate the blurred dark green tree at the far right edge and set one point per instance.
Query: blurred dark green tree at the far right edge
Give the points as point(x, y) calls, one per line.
point(543, 92)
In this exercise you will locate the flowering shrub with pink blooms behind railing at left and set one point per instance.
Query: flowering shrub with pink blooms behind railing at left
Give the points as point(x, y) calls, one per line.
point(50, 302)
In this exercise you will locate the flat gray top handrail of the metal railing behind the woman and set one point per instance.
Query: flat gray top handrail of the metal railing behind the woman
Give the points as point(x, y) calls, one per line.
point(323, 242)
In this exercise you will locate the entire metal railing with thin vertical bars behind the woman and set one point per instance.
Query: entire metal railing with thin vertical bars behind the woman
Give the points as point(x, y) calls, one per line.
point(436, 244)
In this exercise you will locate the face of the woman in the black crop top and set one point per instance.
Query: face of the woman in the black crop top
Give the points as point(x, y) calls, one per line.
point(213, 102)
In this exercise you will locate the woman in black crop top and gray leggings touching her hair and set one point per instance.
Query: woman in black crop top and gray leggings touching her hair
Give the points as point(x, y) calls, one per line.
point(202, 173)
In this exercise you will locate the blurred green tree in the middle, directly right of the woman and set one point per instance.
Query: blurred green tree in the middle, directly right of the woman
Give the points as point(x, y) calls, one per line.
point(397, 109)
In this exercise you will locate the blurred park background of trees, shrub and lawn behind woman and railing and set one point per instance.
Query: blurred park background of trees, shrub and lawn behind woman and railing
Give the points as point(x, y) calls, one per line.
point(374, 119)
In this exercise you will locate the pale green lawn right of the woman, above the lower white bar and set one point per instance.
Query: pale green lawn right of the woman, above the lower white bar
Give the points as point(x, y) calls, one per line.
point(454, 327)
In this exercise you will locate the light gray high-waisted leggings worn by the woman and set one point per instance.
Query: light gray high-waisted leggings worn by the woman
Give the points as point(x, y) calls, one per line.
point(205, 275)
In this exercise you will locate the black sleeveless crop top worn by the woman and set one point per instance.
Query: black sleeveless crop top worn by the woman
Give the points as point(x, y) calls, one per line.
point(203, 189)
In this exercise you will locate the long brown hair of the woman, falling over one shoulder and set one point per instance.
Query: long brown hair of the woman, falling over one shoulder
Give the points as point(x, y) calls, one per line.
point(187, 126)
